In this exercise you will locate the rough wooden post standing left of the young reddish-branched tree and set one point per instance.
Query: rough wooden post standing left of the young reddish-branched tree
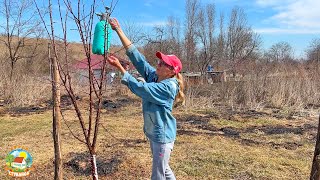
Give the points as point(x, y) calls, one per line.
point(56, 125)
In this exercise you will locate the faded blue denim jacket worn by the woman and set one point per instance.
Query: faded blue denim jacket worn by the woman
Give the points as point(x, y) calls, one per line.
point(157, 99)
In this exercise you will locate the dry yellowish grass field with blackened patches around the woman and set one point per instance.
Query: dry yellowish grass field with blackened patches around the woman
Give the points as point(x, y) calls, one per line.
point(213, 143)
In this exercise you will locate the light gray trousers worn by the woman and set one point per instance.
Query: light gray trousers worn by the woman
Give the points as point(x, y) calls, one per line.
point(160, 161)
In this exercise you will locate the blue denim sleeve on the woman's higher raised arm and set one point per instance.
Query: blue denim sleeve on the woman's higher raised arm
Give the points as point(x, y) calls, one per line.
point(140, 63)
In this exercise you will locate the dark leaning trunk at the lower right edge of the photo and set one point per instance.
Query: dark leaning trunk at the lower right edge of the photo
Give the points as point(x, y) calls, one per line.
point(315, 175)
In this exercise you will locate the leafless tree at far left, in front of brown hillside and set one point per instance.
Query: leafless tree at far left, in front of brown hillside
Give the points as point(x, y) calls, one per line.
point(21, 30)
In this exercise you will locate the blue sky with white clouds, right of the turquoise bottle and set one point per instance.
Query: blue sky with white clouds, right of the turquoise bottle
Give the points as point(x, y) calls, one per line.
point(294, 21)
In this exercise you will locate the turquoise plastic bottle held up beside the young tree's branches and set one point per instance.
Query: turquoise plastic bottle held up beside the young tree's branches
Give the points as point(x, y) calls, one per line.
point(101, 36)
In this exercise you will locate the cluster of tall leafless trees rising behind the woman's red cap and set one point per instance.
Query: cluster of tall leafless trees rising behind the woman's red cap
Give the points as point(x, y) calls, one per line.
point(205, 42)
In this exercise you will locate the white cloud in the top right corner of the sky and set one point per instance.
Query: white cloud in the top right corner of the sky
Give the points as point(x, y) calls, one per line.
point(292, 14)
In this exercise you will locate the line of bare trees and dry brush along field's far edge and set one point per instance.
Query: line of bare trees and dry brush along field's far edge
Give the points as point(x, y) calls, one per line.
point(270, 77)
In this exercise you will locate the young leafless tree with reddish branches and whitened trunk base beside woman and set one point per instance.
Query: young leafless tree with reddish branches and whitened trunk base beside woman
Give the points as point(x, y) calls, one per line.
point(82, 14)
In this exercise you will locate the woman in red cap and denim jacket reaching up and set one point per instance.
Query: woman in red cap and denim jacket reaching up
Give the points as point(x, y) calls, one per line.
point(163, 86)
